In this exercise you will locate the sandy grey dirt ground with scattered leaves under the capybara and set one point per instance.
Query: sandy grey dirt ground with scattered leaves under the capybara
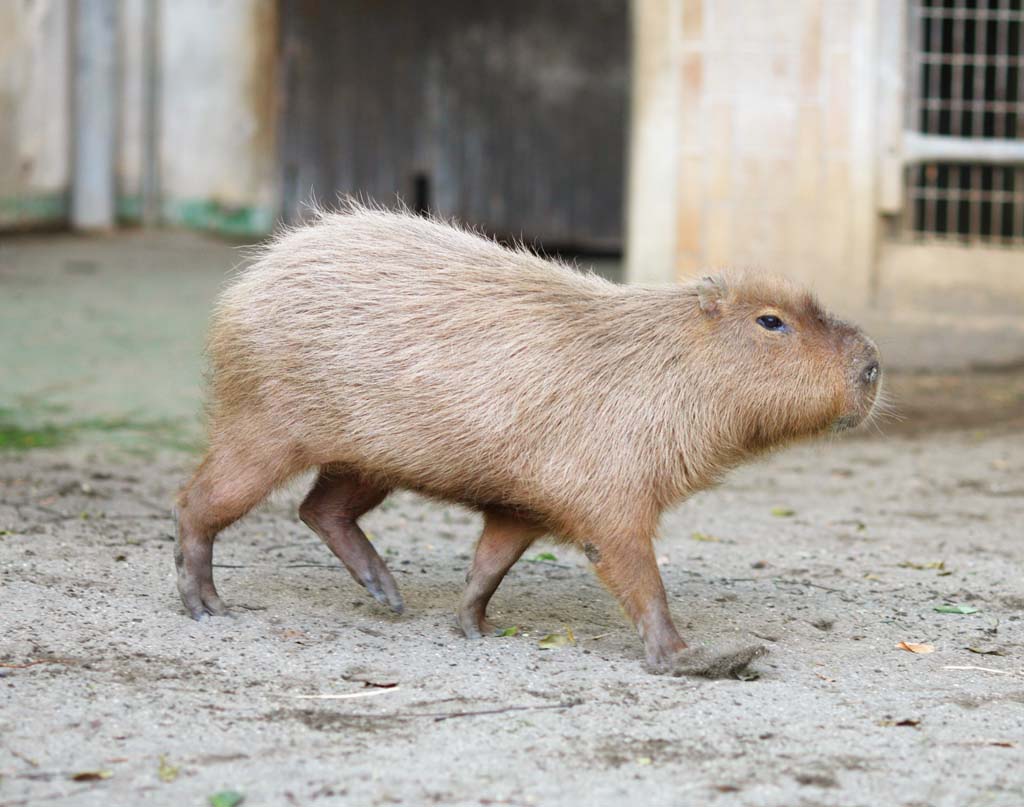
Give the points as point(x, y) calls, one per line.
point(831, 555)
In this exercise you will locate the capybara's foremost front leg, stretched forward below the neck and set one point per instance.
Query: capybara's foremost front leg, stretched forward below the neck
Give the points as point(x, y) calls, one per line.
point(630, 571)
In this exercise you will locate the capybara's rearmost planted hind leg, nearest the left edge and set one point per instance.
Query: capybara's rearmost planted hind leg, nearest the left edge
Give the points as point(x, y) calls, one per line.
point(223, 491)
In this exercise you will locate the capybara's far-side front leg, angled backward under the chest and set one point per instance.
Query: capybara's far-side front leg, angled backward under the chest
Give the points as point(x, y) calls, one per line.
point(504, 540)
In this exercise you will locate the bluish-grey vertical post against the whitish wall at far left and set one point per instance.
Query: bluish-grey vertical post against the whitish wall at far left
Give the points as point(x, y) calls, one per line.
point(95, 123)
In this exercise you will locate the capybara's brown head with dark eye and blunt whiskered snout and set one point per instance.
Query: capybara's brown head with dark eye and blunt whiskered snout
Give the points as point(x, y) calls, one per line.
point(790, 369)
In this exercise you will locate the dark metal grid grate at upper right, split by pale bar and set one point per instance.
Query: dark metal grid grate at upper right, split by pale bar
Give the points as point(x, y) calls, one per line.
point(966, 64)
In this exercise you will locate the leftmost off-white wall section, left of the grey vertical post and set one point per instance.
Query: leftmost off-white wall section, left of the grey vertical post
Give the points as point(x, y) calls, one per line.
point(35, 110)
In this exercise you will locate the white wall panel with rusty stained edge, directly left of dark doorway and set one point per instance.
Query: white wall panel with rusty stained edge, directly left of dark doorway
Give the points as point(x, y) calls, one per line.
point(219, 114)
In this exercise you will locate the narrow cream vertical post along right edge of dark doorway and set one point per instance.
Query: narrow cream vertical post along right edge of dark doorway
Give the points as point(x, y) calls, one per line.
point(654, 142)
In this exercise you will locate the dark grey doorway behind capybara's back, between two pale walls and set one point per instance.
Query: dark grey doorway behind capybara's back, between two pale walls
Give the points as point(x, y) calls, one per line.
point(510, 116)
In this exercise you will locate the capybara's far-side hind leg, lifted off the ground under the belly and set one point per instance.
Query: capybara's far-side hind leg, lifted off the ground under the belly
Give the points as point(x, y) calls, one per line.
point(331, 511)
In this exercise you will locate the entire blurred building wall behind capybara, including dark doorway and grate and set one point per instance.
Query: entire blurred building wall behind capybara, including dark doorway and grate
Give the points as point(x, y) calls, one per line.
point(871, 148)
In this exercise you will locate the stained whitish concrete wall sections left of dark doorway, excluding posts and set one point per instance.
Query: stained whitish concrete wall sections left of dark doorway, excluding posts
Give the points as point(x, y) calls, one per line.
point(218, 112)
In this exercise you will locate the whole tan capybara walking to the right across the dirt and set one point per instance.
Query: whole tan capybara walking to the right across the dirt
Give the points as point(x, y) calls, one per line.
point(396, 352)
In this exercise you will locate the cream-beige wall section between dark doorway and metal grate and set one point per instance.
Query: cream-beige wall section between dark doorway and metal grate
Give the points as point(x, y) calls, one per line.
point(753, 141)
